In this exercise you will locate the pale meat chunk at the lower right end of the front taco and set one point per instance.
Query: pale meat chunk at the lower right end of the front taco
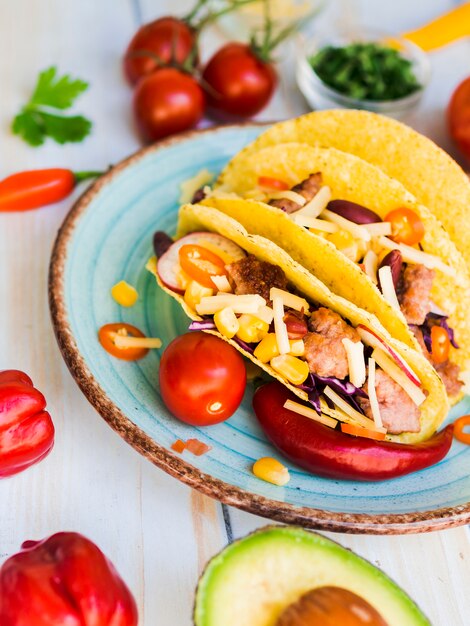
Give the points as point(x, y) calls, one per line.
point(398, 411)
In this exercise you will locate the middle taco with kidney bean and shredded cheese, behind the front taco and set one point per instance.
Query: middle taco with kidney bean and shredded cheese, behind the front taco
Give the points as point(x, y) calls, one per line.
point(336, 215)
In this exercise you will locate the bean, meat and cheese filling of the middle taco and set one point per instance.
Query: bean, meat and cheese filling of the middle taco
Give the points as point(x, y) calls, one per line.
point(388, 250)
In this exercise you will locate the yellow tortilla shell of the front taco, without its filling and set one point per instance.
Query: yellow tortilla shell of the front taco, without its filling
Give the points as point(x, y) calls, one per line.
point(194, 218)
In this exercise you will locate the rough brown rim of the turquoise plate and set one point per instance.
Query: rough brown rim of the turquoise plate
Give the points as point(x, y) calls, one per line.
point(176, 466)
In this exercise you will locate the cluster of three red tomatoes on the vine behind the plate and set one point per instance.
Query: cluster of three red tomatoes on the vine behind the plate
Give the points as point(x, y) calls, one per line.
point(172, 90)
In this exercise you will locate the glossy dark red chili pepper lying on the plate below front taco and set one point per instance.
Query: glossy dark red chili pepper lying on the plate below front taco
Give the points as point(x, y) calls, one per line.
point(328, 452)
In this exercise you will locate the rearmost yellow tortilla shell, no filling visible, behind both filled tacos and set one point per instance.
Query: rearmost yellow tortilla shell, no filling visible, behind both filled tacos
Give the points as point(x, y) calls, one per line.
point(426, 170)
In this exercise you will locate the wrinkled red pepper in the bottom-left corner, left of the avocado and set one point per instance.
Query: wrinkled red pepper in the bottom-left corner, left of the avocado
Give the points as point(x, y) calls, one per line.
point(64, 579)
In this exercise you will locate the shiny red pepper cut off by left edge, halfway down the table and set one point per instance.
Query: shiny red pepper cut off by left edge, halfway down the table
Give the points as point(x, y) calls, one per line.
point(26, 429)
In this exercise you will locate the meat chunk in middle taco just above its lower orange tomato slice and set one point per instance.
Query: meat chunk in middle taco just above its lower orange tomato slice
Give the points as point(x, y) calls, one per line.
point(414, 293)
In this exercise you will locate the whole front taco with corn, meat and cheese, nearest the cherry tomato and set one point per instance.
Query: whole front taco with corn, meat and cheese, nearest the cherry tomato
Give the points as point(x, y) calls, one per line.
point(325, 349)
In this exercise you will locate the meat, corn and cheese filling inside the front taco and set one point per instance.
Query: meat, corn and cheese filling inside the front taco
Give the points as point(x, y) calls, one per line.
point(346, 369)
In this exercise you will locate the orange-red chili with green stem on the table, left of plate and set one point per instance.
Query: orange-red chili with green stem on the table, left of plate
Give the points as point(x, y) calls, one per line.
point(36, 188)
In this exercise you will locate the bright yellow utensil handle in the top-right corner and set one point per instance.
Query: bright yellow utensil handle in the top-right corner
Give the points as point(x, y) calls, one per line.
point(443, 30)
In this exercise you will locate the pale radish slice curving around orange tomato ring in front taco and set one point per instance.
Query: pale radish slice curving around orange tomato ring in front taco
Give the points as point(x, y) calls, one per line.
point(168, 265)
